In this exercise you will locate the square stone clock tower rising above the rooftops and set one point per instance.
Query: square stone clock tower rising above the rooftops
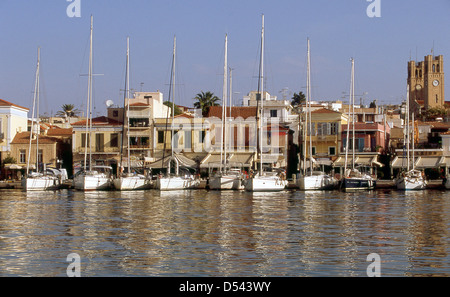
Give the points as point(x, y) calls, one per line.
point(426, 83)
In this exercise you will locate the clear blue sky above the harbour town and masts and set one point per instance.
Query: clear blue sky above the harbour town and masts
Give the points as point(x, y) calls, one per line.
point(338, 31)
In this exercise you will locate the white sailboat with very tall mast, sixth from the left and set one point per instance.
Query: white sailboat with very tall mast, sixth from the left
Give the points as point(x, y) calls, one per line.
point(263, 181)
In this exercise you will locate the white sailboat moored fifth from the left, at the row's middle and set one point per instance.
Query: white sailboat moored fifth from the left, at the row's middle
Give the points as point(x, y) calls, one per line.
point(225, 178)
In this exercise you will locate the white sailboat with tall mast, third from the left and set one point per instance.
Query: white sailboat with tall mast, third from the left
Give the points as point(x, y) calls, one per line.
point(128, 180)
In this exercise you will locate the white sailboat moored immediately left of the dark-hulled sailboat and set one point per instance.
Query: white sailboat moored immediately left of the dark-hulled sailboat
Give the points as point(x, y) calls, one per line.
point(312, 179)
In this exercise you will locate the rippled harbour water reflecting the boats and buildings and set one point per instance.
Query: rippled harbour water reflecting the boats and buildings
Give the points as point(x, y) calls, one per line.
point(205, 233)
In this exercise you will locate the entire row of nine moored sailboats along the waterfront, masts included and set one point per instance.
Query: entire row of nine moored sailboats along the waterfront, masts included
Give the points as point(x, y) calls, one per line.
point(99, 177)
